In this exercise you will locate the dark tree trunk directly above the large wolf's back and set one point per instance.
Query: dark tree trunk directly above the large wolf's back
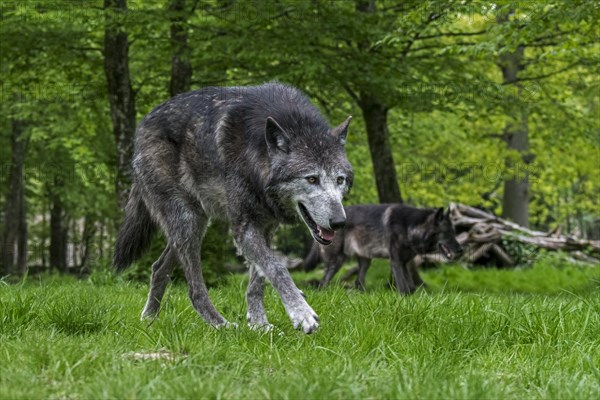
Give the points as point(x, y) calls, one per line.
point(181, 67)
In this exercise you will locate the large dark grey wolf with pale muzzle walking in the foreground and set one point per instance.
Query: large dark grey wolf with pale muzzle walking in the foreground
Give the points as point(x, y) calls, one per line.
point(255, 156)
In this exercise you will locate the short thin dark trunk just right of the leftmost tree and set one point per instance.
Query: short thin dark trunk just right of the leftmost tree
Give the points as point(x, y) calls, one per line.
point(58, 231)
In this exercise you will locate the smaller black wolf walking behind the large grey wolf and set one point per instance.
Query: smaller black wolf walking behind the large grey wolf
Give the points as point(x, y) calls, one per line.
point(393, 231)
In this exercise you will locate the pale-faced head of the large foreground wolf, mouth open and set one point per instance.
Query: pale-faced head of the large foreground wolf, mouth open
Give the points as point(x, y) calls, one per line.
point(310, 173)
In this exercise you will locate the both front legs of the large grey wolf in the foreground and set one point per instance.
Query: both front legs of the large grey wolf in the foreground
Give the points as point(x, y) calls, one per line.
point(254, 246)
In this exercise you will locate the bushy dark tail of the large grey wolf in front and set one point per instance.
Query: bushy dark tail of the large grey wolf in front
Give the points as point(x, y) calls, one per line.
point(135, 234)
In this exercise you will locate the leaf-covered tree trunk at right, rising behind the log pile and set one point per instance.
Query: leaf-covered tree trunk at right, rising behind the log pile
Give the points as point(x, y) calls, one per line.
point(515, 201)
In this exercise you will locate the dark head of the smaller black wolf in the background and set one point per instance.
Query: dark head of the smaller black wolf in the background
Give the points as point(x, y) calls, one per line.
point(437, 234)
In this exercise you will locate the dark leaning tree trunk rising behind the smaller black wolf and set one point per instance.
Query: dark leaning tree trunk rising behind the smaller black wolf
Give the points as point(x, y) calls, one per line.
point(375, 116)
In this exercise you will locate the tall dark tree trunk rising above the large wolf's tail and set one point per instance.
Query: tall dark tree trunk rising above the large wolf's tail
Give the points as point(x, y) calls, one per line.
point(120, 93)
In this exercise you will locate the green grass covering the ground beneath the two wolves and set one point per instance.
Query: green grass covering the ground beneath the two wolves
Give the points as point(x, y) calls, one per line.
point(483, 334)
